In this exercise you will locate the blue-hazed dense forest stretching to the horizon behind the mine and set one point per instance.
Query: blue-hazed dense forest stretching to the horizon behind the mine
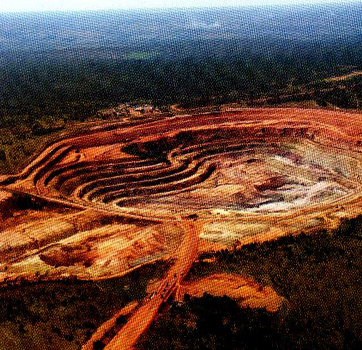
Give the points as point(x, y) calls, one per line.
point(68, 63)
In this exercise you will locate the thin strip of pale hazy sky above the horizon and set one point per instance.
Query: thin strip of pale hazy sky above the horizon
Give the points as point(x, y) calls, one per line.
point(73, 5)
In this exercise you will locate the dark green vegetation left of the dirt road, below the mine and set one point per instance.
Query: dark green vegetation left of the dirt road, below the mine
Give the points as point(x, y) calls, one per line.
point(65, 314)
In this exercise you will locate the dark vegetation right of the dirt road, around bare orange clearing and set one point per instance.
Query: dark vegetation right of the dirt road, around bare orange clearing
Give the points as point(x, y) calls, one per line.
point(320, 275)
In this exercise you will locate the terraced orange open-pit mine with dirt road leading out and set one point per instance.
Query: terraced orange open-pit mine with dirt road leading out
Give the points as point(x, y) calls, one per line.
point(120, 195)
